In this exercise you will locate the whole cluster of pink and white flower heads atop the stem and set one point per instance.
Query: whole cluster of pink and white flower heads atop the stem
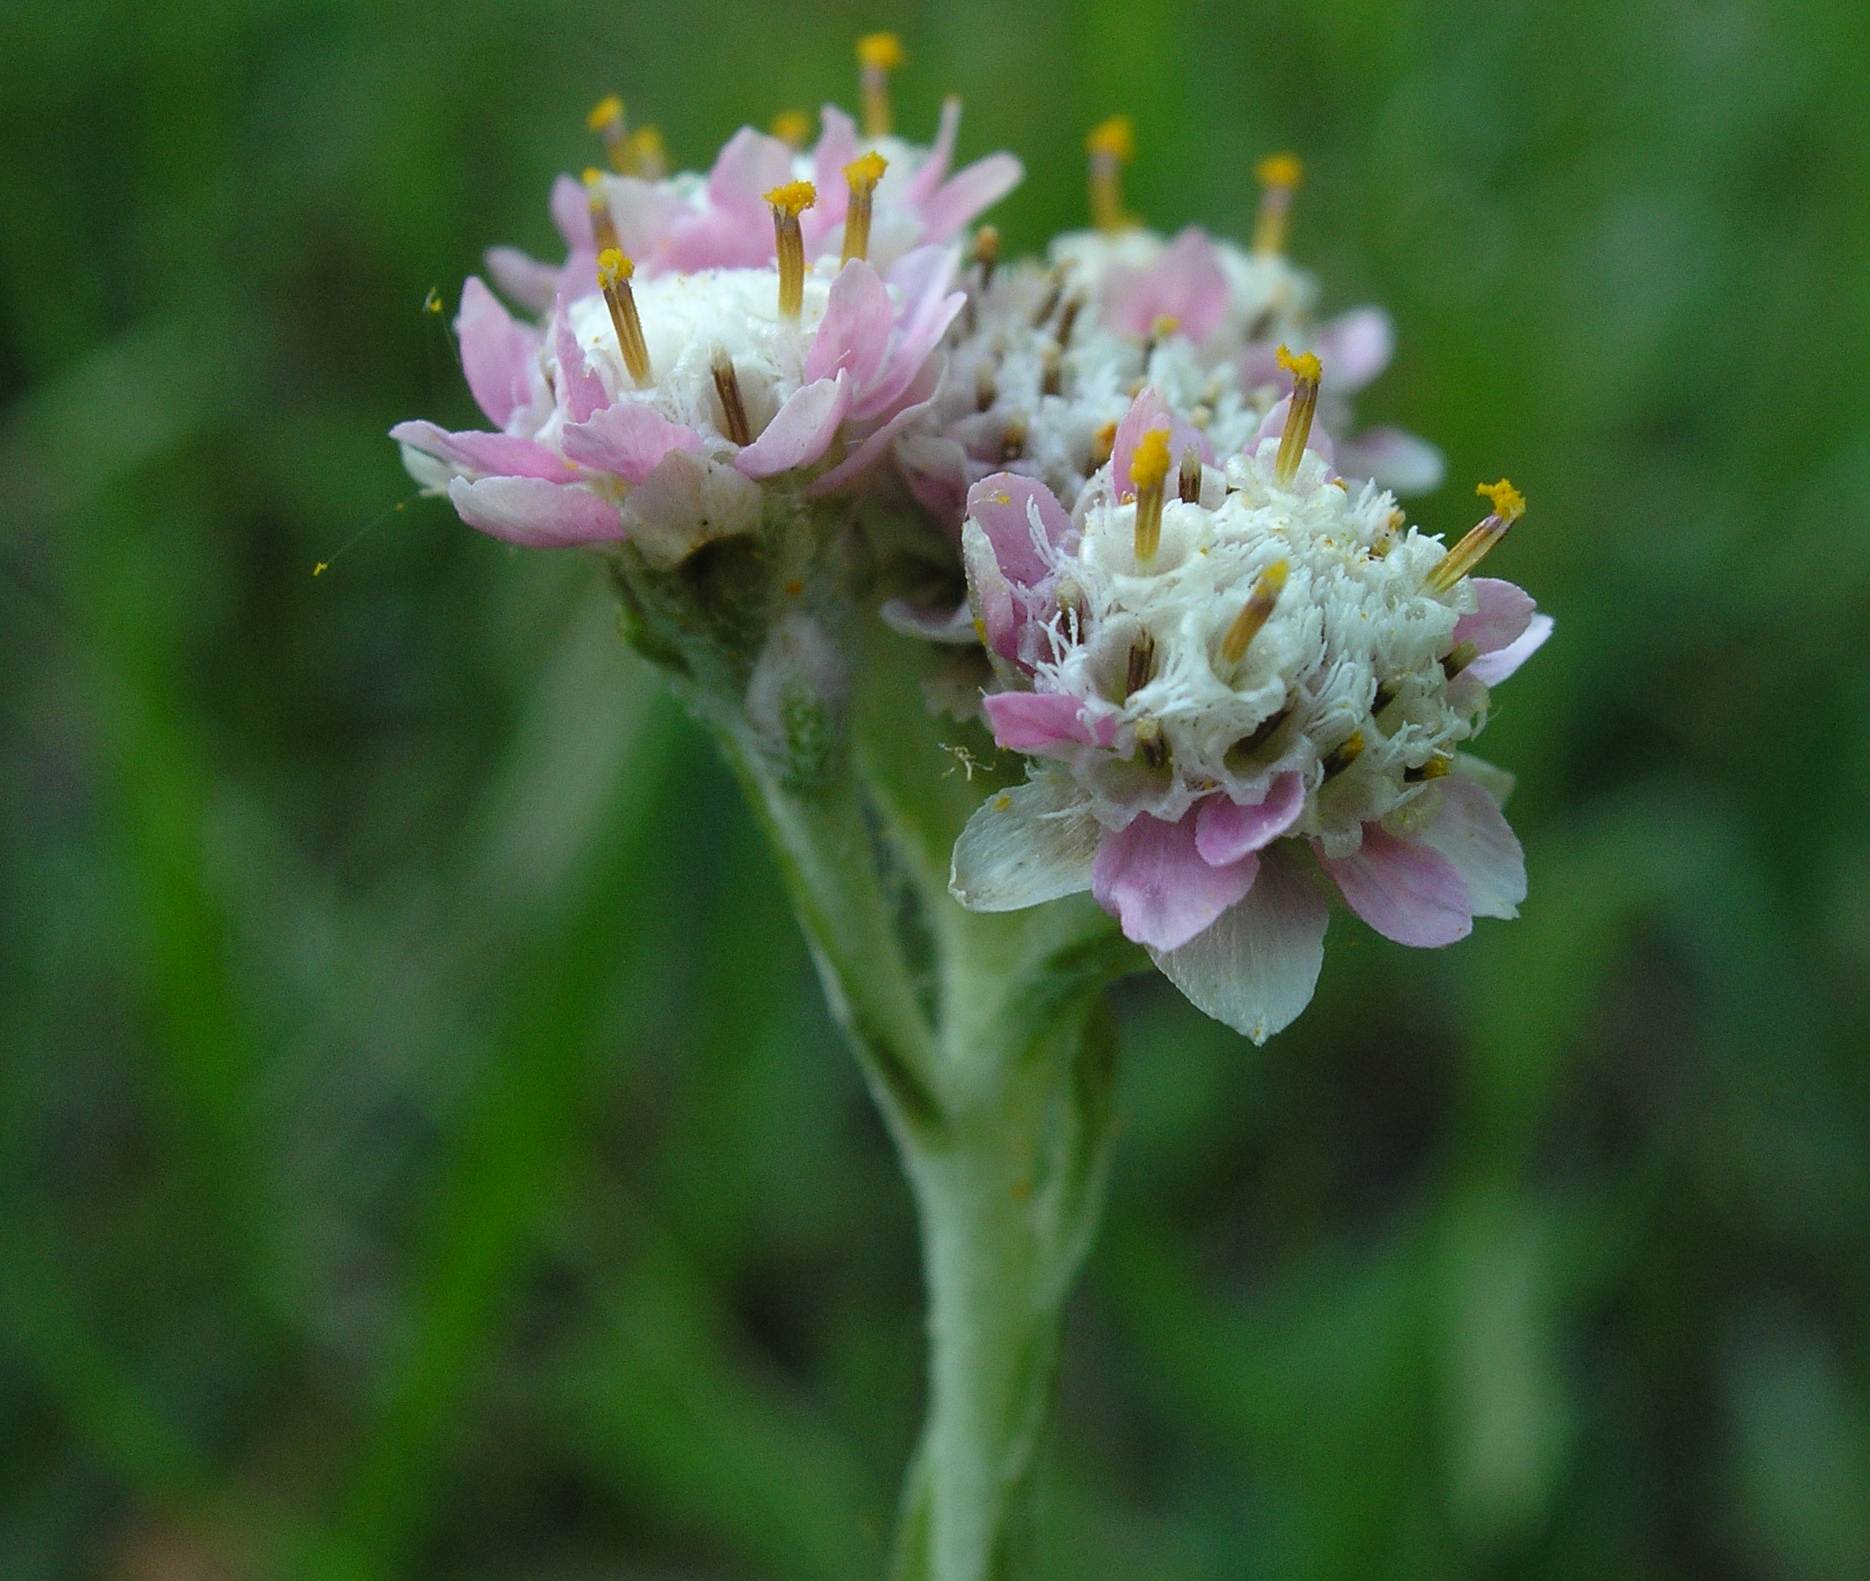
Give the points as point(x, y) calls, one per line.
point(1239, 673)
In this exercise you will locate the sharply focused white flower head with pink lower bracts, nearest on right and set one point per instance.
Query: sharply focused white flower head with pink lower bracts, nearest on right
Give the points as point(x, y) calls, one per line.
point(1271, 682)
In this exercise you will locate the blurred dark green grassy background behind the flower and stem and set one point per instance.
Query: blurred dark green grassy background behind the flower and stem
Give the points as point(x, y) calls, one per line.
point(425, 1153)
